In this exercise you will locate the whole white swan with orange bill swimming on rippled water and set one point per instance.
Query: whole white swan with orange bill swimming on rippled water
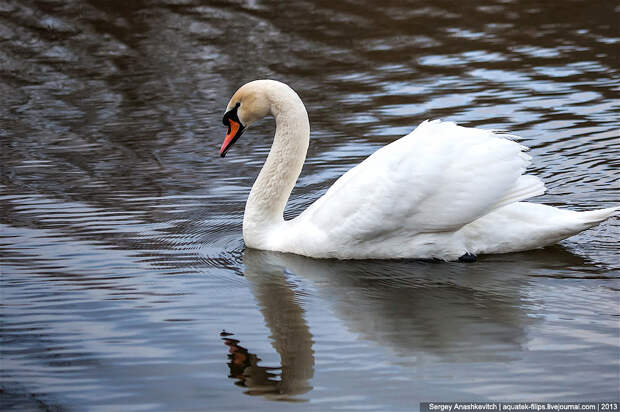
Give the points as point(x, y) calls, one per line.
point(441, 192)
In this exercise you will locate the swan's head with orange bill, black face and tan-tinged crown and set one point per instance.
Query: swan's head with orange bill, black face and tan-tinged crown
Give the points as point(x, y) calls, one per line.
point(249, 104)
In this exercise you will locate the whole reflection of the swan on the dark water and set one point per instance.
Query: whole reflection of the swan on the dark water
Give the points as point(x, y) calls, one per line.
point(446, 312)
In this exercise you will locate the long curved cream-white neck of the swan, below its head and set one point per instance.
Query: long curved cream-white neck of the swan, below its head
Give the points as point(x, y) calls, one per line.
point(264, 209)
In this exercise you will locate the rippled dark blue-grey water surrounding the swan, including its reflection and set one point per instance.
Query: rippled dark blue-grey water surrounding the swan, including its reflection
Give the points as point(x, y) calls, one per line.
point(125, 283)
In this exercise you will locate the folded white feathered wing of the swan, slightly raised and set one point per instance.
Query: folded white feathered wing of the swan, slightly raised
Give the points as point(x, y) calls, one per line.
point(437, 178)
